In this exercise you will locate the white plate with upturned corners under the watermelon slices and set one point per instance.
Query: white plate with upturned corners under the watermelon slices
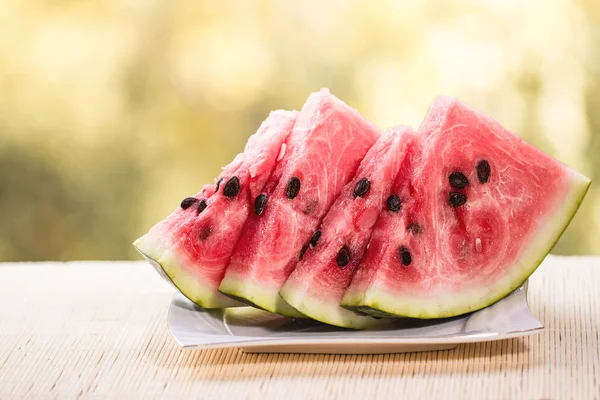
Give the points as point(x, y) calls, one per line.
point(262, 332)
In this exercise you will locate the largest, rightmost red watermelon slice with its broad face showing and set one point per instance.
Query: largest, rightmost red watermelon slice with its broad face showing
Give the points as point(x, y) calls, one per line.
point(488, 207)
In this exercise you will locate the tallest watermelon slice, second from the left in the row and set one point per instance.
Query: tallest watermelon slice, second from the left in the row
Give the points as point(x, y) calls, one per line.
point(324, 150)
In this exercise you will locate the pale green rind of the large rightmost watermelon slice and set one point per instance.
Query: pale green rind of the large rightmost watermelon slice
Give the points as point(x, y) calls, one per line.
point(378, 301)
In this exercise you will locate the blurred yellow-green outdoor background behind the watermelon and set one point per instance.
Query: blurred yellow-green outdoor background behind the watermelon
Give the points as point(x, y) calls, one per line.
point(112, 111)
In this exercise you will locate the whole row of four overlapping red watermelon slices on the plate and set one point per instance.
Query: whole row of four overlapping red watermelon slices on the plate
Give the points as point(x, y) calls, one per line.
point(324, 216)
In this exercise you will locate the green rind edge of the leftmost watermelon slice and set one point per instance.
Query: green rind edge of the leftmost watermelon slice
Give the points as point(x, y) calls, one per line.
point(189, 285)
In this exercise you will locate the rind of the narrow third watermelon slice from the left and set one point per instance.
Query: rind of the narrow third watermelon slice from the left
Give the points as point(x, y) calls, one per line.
point(329, 313)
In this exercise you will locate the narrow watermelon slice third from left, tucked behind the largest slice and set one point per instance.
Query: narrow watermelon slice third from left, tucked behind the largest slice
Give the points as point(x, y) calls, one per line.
point(318, 283)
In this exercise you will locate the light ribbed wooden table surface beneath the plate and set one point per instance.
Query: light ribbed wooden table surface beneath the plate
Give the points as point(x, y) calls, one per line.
point(98, 330)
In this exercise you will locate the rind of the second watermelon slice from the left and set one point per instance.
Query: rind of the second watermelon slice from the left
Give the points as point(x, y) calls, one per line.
point(258, 296)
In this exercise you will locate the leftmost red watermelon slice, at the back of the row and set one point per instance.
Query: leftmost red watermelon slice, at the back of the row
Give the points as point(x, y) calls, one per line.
point(193, 245)
